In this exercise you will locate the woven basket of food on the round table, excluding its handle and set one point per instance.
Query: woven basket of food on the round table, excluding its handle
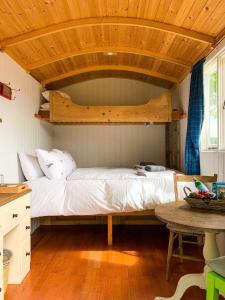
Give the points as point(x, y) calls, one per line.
point(218, 205)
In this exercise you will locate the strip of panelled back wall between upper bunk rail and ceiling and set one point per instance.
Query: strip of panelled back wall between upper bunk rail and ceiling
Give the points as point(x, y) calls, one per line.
point(112, 91)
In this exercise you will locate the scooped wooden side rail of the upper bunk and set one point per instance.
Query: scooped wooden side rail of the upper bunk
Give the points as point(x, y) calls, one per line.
point(157, 110)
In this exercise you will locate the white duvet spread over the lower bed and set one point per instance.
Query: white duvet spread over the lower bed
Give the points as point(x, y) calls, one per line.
point(90, 191)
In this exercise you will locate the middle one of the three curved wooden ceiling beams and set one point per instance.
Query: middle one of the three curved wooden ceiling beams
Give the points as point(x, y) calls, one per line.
point(130, 50)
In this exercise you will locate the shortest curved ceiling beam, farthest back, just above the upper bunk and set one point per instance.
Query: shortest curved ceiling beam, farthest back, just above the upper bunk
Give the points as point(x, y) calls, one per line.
point(110, 67)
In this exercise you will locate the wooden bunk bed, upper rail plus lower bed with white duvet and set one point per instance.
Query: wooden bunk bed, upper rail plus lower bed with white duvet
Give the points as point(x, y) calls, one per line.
point(110, 192)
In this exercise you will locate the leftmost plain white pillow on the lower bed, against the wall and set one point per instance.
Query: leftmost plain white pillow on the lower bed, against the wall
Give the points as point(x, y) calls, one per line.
point(30, 166)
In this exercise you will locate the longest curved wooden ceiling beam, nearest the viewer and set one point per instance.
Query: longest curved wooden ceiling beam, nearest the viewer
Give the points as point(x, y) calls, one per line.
point(126, 21)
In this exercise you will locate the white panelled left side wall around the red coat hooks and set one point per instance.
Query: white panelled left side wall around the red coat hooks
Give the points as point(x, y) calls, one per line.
point(19, 131)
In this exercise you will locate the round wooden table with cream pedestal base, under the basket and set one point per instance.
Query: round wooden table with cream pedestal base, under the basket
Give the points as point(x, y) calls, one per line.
point(210, 223)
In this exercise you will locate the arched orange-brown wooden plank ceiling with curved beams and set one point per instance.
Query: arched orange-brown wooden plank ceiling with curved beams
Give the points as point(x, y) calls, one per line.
point(58, 41)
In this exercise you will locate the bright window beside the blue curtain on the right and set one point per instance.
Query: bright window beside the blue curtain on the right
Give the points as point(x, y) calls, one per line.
point(213, 133)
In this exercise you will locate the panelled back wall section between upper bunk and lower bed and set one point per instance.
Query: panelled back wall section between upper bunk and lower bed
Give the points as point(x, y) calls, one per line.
point(112, 145)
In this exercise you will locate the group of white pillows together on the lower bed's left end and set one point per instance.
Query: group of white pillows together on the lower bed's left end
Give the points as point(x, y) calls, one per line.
point(54, 164)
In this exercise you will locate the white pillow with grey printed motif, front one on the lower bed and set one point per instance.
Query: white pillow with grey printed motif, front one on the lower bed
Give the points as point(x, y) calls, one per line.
point(52, 164)
